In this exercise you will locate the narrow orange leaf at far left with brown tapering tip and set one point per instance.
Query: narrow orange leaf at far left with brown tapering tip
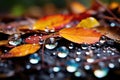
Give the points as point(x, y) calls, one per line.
point(21, 50)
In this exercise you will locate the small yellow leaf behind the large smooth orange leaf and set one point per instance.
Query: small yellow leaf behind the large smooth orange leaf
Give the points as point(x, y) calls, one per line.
point(89, 22)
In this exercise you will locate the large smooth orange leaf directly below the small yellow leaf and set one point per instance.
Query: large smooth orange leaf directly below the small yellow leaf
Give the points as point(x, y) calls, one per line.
point(80, 35)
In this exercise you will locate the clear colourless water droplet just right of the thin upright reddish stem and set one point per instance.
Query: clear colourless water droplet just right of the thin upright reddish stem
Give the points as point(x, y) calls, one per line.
point(51, 43)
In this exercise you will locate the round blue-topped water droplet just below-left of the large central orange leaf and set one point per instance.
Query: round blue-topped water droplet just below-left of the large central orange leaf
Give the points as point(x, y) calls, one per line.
point(62, 52)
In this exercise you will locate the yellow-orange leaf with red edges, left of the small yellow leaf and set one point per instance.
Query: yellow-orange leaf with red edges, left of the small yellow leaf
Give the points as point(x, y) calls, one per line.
point(52, 22)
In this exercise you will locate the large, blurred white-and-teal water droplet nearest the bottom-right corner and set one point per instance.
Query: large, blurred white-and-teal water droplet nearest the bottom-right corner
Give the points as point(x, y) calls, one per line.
point(100, 73)
